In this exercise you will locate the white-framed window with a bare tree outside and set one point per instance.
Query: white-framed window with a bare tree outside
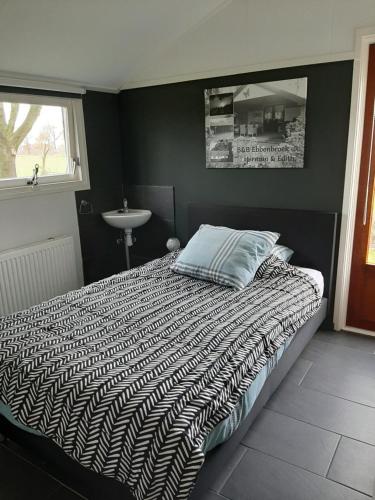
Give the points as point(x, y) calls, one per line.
point(42, 145)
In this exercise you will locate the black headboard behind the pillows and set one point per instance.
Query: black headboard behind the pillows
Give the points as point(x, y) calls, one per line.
point(312, 235)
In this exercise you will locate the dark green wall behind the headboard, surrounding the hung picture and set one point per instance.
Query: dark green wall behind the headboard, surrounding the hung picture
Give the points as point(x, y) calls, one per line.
point(163, 138)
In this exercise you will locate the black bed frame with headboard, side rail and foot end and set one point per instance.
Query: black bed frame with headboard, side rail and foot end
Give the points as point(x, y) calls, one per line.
point(312, 235)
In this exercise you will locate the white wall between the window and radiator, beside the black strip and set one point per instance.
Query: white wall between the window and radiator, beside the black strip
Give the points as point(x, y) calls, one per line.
point(36, 218)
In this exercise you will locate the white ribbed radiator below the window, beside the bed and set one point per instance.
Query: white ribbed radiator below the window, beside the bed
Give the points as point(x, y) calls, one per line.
point(29, 275)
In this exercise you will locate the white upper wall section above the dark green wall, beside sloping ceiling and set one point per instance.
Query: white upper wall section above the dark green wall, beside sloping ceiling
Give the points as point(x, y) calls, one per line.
point(251, 33)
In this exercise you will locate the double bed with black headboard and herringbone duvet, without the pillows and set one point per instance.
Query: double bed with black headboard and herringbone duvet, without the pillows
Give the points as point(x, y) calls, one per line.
point(148, 375)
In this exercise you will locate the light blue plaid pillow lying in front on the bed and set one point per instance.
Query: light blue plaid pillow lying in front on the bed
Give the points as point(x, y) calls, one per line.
point(225, 256)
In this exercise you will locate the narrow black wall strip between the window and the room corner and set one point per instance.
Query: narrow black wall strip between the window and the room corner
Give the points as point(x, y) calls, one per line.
point(102, 256)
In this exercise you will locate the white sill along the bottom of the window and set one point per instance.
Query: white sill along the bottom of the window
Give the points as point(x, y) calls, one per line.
point(40, 189)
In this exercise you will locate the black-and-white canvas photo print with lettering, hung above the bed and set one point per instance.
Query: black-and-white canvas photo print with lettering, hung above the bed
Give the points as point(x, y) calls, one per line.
point(259, 125)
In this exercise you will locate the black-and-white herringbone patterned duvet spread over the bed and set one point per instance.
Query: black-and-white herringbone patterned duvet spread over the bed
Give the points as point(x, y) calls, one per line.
point(128, 375)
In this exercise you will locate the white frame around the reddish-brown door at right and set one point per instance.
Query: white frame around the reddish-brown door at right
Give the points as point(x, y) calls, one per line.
point(363, 38)
